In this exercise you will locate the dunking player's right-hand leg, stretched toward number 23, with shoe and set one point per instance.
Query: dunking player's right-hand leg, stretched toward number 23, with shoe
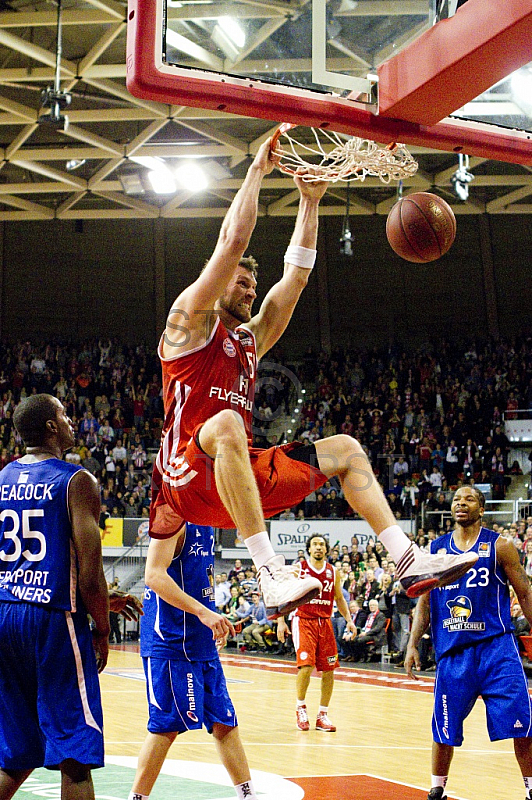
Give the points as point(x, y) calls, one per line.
point(419, 572)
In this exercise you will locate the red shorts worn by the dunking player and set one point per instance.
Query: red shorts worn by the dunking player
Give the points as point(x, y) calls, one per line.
point(282, 481)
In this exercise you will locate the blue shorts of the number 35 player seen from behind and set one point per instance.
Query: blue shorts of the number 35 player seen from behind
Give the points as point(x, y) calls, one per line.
point(50, 707)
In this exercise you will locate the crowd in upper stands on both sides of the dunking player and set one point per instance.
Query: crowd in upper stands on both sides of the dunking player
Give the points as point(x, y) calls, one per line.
point(428, 418)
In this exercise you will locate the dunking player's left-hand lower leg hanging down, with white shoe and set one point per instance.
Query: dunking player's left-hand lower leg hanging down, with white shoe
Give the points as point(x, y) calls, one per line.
point(224, 440)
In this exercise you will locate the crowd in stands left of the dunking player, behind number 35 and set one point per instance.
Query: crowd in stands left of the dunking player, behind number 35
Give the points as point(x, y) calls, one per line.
point(112, 394)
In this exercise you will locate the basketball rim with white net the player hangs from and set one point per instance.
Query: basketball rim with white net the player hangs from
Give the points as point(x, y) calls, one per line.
point(334, 158)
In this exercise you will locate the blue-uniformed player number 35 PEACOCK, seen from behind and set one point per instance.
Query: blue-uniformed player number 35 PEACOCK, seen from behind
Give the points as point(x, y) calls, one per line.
point(51, 575)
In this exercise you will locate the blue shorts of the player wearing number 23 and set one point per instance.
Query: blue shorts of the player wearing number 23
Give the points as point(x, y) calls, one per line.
point(492, 669)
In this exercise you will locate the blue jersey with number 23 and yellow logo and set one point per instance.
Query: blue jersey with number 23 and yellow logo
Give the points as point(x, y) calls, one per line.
point(475, 608)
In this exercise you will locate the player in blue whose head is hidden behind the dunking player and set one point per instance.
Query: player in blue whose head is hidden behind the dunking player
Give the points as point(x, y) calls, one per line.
point(181, 633)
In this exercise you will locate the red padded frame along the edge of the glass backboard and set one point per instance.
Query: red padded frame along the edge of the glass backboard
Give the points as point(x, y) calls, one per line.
point(148, 78)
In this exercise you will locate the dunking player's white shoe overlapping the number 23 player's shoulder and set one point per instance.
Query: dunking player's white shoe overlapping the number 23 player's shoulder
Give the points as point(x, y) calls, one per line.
point(420, 572)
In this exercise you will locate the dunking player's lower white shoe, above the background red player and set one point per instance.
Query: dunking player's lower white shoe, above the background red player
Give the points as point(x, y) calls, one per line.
point(282, 588)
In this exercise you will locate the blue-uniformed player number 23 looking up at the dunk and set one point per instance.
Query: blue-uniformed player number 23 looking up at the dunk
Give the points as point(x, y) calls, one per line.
point(476, 649)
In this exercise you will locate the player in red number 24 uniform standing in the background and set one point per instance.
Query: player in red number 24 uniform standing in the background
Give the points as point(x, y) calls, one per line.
point(313, 633)
